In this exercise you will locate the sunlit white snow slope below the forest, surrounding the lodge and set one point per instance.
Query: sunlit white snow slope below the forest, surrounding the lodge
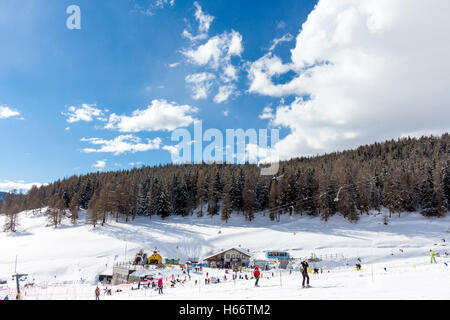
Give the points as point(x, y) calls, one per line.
point(65, 262)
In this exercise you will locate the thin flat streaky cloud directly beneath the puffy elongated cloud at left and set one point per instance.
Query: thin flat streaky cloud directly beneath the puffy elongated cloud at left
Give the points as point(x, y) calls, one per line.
point(122, 144)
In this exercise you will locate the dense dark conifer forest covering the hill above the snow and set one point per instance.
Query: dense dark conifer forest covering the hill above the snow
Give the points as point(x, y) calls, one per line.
point(404, 175)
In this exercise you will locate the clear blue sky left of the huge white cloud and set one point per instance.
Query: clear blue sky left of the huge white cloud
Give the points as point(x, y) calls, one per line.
point(119, 61)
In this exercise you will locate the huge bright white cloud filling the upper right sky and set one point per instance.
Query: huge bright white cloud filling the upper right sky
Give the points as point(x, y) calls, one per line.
point(364, 71)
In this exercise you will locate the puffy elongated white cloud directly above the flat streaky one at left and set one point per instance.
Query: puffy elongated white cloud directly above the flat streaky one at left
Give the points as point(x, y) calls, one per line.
point(160, 115)
